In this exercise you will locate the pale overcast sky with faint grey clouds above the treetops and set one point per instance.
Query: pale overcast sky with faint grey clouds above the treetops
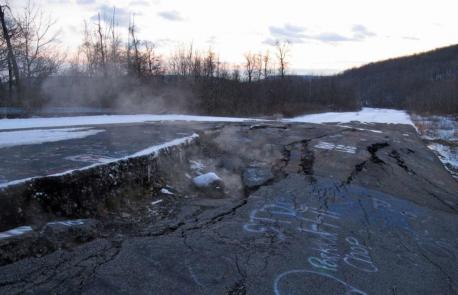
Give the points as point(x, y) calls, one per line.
point(326, 35)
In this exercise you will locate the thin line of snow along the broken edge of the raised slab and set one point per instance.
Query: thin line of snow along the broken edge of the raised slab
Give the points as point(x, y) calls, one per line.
point(151, 151)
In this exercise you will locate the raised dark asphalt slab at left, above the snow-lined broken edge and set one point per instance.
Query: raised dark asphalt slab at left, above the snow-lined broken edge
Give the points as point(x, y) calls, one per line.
point(116, 141)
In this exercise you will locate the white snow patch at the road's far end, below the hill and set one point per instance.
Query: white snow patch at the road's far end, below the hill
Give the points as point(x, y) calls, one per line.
point(366, 115)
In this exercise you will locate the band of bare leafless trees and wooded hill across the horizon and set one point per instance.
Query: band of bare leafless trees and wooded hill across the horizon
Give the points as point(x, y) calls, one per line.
point(128, 74)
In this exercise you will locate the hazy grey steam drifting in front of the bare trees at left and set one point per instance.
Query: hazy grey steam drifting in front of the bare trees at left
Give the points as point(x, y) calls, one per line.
point(119, 94)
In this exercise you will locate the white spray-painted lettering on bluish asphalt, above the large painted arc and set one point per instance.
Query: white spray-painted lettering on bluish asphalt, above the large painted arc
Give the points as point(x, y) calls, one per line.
point(320, 225)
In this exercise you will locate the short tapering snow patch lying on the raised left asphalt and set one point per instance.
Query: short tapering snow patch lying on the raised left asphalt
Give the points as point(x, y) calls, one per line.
point(23, 137)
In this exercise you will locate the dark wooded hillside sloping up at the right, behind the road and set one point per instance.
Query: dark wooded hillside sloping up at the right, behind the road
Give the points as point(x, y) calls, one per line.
point(425, 82)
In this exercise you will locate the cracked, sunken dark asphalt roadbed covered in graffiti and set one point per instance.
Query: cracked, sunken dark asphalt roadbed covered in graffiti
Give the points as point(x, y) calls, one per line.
point(300, 209)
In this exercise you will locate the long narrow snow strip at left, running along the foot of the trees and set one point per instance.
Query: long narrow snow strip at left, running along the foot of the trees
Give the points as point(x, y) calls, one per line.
point(6, 124)
